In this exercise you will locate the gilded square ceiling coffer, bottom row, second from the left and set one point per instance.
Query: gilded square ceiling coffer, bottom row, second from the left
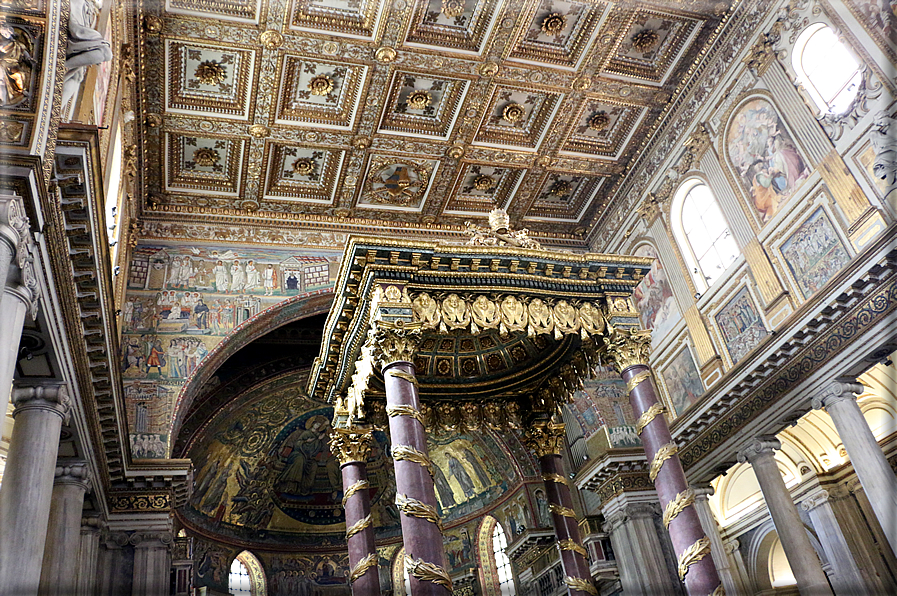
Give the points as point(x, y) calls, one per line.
point(302, 173)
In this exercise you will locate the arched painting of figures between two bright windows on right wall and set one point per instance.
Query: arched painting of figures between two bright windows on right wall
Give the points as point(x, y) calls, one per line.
point(764, 156)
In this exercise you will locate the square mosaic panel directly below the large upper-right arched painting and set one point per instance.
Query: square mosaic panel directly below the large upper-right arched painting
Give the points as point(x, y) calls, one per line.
point(814, 253)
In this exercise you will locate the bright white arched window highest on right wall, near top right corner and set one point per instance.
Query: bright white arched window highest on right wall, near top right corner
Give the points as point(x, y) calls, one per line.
point(827, 68)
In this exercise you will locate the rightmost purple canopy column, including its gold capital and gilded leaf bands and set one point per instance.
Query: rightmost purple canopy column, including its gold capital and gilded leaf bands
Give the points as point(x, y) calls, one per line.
point(629, 351)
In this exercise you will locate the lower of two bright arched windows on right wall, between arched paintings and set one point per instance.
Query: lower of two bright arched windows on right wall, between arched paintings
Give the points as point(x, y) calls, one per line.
point(702, 233)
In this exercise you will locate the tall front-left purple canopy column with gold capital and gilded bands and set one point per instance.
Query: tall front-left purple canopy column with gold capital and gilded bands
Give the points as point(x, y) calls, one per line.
point(415, 494)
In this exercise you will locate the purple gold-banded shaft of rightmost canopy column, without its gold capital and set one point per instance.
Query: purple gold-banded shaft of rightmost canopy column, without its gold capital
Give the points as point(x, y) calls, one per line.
point(689, 541)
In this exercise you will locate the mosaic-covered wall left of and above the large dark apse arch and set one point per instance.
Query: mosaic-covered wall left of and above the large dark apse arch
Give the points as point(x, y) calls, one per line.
point(183, 300)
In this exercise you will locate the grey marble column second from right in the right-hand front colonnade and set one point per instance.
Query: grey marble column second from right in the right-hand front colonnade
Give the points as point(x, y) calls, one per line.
point(802, 557)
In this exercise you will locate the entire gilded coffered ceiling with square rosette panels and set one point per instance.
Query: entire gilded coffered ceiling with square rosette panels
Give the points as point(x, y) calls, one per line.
point(414, 111)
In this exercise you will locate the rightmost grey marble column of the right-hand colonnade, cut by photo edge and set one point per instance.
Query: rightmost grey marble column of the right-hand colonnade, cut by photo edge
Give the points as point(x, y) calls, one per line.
point(866, 456)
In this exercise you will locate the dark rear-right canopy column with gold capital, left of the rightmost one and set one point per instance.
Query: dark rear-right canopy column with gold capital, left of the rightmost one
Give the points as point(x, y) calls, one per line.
point(546, 439)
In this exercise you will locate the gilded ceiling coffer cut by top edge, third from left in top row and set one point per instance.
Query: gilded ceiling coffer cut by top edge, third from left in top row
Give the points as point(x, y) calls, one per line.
point(454, 25)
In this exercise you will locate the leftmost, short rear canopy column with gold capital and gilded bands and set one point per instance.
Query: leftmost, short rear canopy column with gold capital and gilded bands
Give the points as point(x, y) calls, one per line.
point(352, 446)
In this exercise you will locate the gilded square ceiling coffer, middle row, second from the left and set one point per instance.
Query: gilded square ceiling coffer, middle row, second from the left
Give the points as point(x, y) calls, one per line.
point(321, 93)
